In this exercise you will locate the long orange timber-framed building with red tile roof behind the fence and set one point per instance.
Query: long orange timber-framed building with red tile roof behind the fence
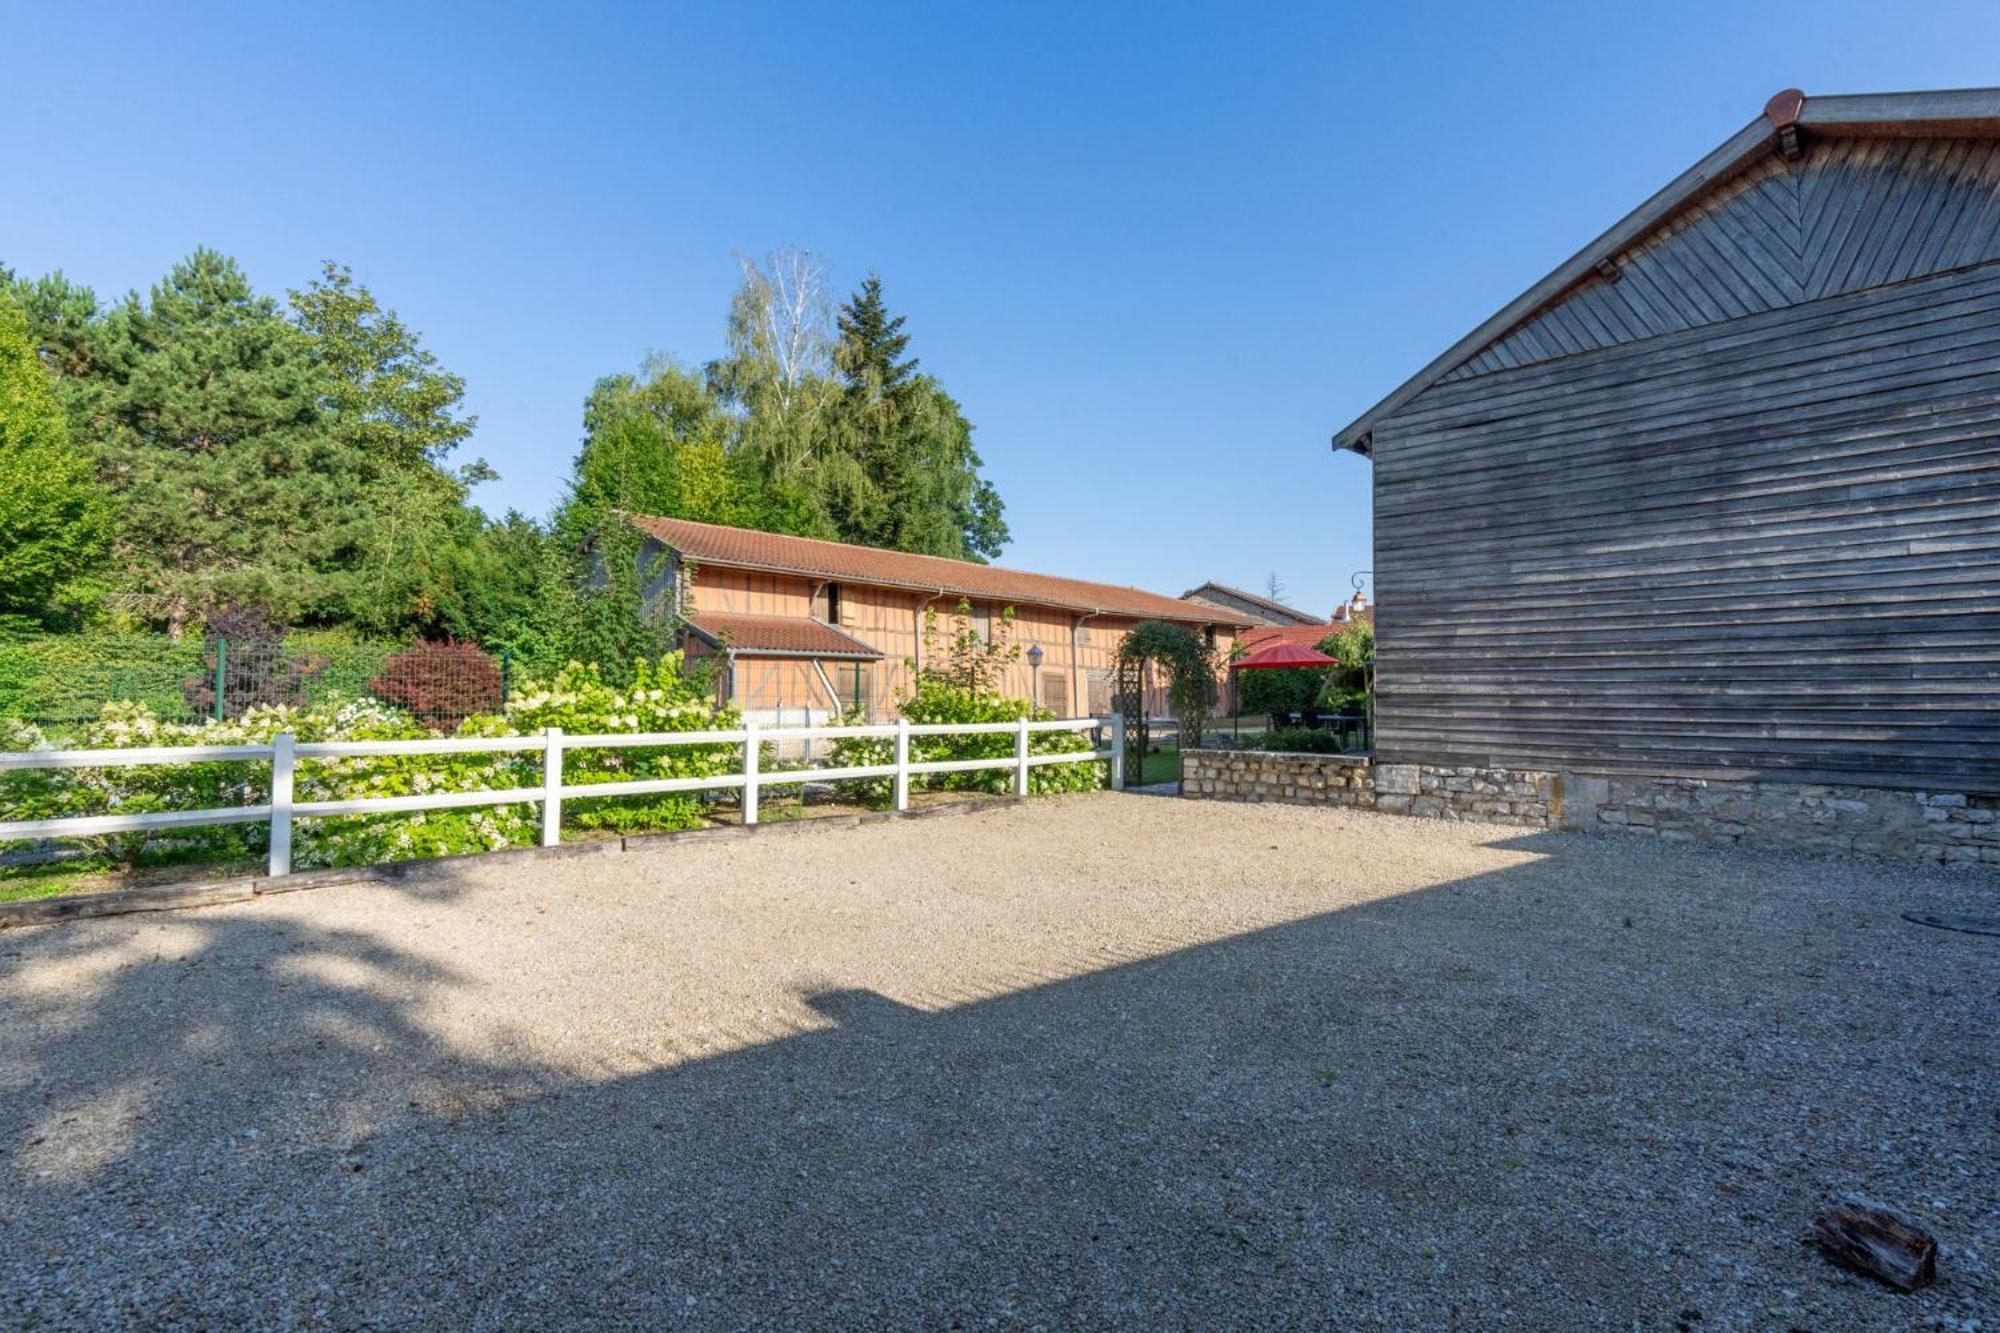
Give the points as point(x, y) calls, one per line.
point(817, 629)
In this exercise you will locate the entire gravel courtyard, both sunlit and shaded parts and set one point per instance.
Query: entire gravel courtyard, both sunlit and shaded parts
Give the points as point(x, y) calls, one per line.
point(1093, 1062)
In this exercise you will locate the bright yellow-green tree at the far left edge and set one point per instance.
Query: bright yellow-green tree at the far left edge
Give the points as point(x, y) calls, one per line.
point(55, 521)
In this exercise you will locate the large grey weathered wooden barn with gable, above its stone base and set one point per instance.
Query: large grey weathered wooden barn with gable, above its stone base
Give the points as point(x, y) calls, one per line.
point(1721, 497)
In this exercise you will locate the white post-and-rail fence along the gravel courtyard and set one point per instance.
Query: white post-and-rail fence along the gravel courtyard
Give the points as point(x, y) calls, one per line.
point(285, 754)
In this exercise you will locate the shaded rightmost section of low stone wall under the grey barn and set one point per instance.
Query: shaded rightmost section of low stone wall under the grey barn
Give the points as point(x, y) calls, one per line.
point(1813, 818)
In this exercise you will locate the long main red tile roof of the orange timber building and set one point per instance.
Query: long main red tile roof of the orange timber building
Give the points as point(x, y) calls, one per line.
point(709, 543)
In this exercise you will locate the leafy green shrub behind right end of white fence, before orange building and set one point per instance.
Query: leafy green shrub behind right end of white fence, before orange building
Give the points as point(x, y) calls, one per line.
point(939, 702)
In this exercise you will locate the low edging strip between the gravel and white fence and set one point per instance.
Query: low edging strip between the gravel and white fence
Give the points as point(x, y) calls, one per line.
point(247, 888)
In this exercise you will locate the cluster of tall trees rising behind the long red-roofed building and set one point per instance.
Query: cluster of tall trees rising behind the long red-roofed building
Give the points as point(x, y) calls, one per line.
point(807, 425)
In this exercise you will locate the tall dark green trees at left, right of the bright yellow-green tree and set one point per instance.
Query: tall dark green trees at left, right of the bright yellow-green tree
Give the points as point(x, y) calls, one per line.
point(263, 455)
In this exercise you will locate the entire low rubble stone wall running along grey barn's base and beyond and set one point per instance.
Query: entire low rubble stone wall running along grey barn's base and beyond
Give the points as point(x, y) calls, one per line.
point(1791, 816)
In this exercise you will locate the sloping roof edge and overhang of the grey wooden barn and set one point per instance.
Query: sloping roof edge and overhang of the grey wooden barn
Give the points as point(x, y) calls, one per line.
point(1969, 113)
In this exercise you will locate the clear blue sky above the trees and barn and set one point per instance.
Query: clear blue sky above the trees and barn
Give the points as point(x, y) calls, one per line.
point(1159, 253)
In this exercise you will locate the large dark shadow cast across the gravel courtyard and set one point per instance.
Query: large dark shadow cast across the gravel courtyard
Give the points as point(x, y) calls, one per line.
point(1555, 1096)
